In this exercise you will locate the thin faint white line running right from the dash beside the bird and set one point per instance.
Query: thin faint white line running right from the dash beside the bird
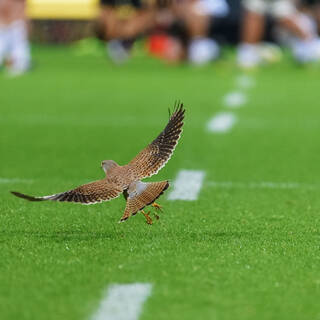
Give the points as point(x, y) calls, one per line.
point(259, 185)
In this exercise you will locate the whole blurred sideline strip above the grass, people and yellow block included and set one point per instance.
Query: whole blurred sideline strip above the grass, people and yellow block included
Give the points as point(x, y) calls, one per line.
point(193, 31)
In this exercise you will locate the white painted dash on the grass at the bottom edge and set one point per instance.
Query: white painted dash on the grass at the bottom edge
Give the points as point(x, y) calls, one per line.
point(123, 302)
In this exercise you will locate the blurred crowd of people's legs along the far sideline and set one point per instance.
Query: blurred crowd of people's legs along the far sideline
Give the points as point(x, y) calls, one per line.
point(185, 30)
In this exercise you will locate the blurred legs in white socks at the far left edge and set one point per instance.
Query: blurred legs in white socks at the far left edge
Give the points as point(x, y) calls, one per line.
point(14, 44)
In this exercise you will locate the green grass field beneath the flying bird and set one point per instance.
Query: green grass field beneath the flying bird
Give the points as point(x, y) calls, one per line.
point(243, 250)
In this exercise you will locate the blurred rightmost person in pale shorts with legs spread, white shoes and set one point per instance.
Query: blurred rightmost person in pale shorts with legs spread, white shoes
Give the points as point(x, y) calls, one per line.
point(286, 15)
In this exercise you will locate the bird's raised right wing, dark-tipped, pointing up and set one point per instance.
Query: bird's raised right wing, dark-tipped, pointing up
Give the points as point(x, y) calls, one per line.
point(151, 159)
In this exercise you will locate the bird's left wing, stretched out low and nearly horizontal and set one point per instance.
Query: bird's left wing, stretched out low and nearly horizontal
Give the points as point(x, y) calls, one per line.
point(90, 193)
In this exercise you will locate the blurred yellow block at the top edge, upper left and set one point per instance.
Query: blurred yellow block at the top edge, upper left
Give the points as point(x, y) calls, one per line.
point(62, 9)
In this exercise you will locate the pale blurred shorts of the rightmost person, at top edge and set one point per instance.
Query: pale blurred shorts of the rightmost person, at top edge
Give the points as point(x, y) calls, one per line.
point(276, 8)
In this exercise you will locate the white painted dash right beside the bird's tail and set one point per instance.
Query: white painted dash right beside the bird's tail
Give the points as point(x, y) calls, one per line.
point(187, 185)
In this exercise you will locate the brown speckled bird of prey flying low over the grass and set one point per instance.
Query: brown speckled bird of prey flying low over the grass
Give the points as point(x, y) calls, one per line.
point(126, 179)
